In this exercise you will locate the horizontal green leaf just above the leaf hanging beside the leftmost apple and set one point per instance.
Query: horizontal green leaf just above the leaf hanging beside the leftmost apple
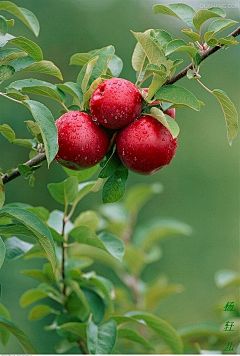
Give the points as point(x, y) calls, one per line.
point(39, 87)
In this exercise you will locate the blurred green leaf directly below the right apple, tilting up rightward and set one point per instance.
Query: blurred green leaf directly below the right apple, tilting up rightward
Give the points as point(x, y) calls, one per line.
point(138, 195)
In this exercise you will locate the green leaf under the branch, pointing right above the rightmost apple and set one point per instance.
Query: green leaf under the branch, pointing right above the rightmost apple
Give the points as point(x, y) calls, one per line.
point(178, 95)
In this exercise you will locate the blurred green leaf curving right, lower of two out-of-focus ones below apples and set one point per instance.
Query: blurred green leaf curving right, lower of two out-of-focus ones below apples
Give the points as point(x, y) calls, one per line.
point(156, 230)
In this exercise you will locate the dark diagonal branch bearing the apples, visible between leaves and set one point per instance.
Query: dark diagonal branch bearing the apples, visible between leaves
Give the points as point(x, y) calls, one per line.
point(41, 157)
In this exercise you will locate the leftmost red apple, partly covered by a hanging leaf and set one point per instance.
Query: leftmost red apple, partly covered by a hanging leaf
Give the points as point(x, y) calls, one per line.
point(82, 143)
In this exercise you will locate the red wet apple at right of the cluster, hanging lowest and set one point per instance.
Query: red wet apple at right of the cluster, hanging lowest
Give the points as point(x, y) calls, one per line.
point(145, 145)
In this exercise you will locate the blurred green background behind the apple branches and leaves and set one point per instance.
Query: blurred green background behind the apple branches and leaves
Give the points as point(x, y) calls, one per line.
point(201, 184)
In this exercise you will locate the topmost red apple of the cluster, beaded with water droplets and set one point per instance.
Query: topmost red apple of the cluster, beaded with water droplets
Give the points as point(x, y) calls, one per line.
point(115, 103)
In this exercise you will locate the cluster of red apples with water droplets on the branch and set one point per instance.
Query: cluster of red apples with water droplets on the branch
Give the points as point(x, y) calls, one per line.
point(143, 144)
